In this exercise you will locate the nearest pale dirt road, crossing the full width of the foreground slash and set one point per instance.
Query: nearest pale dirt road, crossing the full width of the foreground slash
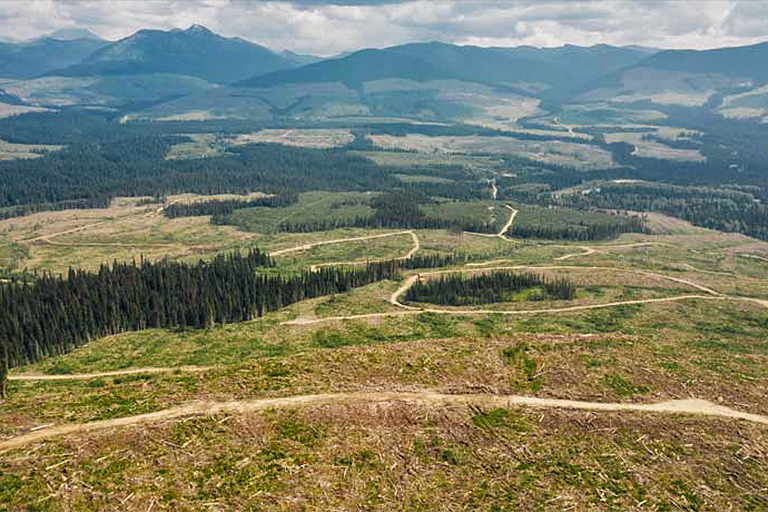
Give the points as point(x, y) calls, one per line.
point(690, 406)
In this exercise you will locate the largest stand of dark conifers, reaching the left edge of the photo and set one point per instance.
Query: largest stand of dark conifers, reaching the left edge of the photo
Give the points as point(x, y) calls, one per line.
point(53, 315)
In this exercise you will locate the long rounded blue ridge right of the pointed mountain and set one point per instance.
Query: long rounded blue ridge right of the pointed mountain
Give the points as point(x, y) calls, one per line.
point(557, 69)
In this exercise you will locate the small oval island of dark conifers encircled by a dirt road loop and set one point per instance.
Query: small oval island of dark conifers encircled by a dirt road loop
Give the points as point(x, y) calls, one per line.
point(502, 286)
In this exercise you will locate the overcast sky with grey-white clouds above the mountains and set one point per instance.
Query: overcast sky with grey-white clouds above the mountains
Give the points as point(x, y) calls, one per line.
point(330, 27)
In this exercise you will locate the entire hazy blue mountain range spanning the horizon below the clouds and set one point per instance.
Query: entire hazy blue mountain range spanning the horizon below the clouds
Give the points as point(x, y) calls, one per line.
point(172, 73)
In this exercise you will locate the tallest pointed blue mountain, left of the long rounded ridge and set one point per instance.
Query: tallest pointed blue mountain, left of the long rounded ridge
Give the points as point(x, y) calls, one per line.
point(195, 51)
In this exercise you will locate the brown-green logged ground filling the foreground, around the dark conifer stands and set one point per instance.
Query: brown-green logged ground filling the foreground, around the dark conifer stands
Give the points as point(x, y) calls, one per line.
point(352, 401)
